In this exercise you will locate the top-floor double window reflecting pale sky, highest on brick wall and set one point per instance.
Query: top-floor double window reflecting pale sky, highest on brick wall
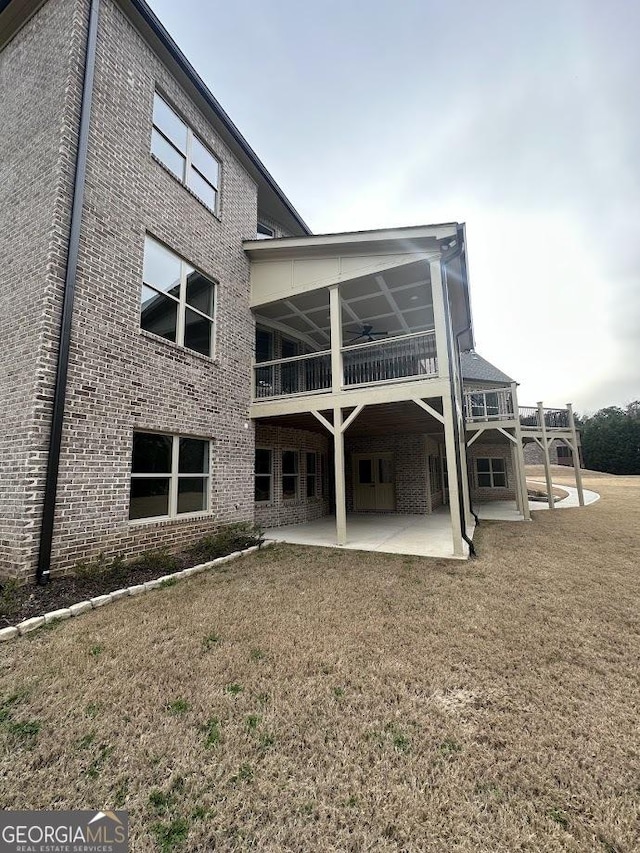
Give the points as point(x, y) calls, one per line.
point(176, 145)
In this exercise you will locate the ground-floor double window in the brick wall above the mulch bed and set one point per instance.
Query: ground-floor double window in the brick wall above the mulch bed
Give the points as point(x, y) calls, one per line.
point(169, 476)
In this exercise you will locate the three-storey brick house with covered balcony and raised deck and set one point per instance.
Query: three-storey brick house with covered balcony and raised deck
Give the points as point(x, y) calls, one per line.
point(180, 350)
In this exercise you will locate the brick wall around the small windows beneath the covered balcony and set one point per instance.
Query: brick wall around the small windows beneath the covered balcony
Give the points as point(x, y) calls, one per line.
point(278, 511)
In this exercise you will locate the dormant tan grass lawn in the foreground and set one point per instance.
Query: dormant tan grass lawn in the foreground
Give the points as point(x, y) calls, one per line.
point(324, 700)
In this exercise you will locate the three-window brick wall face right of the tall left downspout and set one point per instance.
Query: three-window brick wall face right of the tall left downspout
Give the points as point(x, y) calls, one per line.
point(120, 378)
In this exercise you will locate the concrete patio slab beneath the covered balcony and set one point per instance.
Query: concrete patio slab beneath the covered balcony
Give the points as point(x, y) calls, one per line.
point(419, 535)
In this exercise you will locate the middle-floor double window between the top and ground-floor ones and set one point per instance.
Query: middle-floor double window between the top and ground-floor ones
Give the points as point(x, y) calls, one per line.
point(177, 301)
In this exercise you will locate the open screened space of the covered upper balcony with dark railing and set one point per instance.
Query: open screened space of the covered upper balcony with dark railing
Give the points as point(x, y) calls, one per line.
point(387, 334)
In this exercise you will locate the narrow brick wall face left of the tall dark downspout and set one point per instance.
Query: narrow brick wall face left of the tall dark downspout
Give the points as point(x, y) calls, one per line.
point(40, 91)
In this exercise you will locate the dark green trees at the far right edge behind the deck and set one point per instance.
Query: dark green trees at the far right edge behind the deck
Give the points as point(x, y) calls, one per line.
point(611, 439)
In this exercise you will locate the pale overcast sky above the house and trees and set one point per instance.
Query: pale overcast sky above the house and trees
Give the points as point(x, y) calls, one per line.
point(521, 119)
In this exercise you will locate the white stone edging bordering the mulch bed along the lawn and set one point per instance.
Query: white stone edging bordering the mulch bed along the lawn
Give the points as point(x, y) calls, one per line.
point(35, 622)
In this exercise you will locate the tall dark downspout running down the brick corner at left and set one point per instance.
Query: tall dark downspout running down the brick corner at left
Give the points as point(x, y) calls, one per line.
point(57, 416)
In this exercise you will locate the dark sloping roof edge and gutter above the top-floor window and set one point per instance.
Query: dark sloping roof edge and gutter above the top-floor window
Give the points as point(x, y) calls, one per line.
point(159, 30)
